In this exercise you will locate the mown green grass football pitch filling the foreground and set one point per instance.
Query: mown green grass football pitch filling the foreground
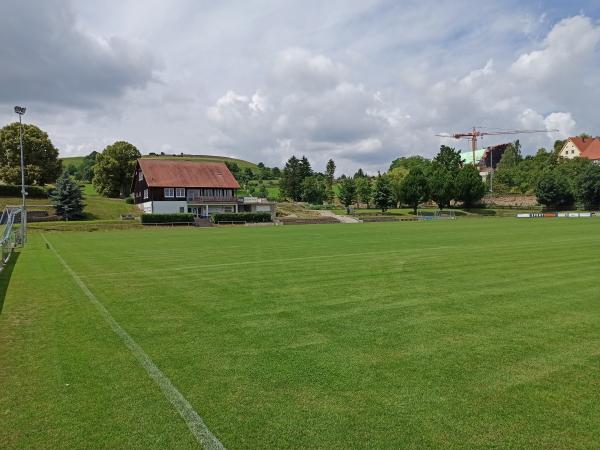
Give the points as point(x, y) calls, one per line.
point(449, 334)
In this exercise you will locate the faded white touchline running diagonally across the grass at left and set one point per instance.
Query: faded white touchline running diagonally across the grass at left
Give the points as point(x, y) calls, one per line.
point(183, 407)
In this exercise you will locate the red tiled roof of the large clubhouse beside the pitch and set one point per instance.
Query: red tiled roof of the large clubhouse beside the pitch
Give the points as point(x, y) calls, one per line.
point(167, 173)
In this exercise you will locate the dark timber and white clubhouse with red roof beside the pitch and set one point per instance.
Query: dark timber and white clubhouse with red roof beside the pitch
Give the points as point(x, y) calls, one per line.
point(163, 186)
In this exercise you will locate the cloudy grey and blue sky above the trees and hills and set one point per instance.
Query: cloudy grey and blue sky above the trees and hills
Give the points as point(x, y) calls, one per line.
point(360, 81)
